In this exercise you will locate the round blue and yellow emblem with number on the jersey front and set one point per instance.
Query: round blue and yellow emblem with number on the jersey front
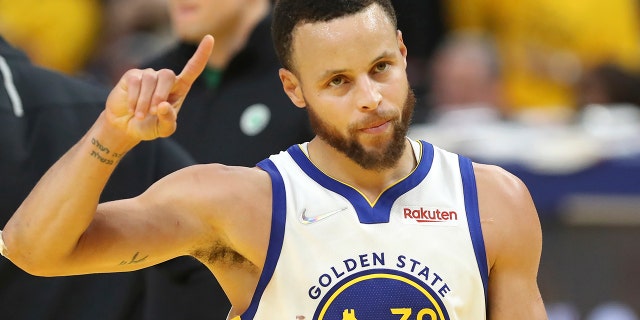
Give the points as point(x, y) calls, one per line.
point(381, 294)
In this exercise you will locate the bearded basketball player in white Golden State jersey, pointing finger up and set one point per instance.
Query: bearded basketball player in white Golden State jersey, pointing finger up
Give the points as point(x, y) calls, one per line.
point(358, 223)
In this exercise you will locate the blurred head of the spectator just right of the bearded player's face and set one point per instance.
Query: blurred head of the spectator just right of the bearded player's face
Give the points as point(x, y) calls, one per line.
point(465, 81)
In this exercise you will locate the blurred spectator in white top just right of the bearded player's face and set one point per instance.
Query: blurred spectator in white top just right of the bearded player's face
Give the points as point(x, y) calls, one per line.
point(465, 97)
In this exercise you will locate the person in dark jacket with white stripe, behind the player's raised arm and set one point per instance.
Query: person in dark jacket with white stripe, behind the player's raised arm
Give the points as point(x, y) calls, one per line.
point(42, 114)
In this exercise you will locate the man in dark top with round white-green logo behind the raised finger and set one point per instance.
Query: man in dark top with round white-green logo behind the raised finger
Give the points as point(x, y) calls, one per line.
point(236, 112)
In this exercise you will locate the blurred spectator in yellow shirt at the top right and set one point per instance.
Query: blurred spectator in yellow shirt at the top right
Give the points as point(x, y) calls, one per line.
point(546, 44)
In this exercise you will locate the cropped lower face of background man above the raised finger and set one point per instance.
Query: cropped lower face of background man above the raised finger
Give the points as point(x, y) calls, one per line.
point(193, 19)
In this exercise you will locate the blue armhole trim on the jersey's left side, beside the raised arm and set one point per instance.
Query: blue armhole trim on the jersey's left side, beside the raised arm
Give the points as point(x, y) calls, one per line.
point(276, 237)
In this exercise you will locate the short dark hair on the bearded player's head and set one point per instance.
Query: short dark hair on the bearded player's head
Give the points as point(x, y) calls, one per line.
point(288, 14)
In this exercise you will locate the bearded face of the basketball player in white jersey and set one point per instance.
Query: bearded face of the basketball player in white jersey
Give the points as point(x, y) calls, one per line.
point(352, 76)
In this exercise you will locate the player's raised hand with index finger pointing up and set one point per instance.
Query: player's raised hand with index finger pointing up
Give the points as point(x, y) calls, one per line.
point(145, 103)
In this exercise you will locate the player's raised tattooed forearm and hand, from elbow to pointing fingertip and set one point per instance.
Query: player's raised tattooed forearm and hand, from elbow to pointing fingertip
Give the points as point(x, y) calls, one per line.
point(45, 234)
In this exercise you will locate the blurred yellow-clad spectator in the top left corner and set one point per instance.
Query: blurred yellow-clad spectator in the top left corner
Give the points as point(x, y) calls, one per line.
point(57, 34)
